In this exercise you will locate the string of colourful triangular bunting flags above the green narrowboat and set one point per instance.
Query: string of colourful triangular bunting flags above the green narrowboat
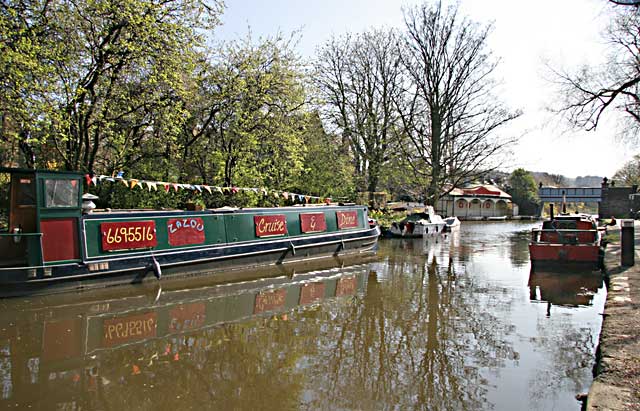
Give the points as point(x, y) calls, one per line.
point(133, 183)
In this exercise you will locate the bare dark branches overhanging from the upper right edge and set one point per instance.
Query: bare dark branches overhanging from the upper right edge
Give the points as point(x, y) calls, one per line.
point(593, 91)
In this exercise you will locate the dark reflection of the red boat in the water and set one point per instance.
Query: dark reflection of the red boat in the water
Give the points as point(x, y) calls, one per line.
point(569, 289)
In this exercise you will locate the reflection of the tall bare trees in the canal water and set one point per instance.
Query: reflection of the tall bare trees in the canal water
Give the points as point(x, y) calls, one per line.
point(417, 340)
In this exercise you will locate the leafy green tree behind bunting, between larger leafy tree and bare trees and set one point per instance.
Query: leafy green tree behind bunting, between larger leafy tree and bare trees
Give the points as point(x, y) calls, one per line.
point(246, 126)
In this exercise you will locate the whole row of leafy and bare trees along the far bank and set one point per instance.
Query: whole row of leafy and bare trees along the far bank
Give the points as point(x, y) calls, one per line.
point(142, 86)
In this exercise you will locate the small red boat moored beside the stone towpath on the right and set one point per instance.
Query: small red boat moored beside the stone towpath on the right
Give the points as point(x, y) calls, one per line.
point(567, 240)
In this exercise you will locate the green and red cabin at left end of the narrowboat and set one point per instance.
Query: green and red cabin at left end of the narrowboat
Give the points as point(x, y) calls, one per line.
point(39, 217)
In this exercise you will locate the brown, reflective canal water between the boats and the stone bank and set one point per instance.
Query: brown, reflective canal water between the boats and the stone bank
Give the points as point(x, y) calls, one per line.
point(447, 323)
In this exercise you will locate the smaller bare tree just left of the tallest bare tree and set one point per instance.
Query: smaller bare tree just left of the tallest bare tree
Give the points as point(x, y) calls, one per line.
point(358, 78)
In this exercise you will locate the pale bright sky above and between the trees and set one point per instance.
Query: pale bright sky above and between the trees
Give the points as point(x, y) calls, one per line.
point(528, 37)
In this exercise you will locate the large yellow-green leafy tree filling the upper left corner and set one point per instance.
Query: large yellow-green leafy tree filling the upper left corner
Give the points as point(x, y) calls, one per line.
point(105, 76)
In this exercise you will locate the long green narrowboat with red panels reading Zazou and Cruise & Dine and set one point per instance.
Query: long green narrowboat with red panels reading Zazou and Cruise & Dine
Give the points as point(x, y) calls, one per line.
point(50, 243)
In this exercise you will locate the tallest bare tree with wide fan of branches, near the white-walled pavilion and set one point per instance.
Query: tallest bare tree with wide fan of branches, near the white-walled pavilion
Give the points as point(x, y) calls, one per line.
point(449, 112)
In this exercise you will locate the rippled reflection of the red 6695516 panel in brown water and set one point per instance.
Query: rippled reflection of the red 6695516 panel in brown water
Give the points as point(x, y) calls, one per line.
point(127, 329)
